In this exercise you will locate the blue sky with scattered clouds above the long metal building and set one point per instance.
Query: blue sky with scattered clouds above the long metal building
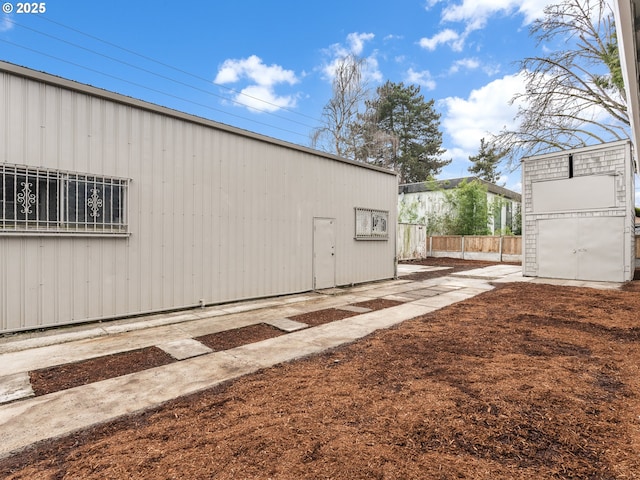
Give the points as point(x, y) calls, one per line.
point(265, 65)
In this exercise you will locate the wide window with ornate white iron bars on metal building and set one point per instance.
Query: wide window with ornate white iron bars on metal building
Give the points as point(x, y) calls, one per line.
point(34, 200)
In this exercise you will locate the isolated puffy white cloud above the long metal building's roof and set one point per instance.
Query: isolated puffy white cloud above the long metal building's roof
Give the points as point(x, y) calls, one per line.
point(260, 94)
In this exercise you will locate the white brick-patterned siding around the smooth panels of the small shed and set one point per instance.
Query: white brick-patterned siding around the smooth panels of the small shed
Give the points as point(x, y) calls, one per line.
point(600, 160)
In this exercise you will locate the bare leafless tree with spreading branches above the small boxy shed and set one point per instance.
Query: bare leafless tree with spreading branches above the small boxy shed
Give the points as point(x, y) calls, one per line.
point(574, 96)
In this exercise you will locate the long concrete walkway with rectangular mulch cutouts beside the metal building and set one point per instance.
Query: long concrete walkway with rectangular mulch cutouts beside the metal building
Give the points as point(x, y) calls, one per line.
point(26, 419)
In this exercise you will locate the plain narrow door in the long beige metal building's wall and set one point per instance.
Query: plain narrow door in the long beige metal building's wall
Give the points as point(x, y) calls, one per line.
point(324, 253)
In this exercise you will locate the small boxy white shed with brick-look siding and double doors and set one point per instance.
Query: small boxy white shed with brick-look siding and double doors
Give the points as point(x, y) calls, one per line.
point(578, 218)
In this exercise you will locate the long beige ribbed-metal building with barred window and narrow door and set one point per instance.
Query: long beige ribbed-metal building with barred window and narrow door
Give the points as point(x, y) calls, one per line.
point(110, 207)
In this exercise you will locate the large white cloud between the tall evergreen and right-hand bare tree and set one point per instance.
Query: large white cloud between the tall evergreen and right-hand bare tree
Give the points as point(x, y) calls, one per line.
point(486, 111)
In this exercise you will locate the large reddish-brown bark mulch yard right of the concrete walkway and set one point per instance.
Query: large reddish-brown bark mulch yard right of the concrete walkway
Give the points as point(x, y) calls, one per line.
point(526, 381)
